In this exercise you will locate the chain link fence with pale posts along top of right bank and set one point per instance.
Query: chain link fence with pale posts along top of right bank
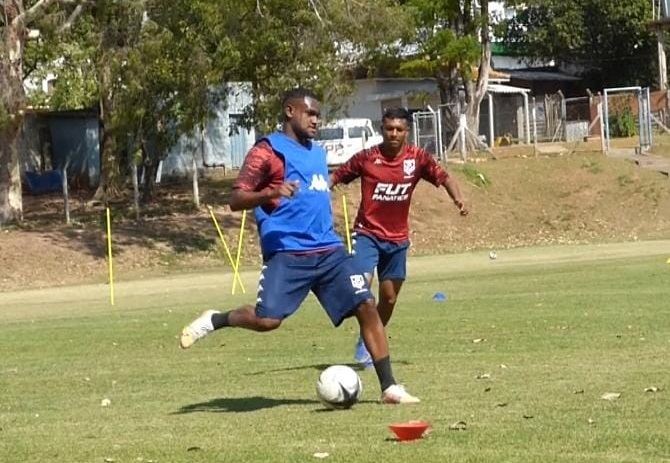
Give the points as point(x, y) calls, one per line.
point(551, 118)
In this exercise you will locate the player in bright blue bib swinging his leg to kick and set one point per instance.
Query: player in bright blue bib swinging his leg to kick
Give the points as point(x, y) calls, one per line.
point(284, 179)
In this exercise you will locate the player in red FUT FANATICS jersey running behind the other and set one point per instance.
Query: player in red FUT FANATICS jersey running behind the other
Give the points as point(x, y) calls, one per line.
point(389, 172)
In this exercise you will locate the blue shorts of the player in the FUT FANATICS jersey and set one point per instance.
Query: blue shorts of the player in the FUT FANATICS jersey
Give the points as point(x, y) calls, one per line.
point(390, 258)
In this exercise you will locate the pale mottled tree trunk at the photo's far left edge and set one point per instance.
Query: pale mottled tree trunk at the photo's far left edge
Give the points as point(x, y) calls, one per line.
point(12, 100)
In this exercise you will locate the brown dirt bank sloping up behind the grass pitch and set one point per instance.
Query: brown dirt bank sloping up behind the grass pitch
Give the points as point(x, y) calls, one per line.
point(514, 201)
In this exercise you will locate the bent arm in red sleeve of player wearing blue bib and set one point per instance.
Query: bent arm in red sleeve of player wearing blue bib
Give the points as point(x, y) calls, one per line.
point(259, 182)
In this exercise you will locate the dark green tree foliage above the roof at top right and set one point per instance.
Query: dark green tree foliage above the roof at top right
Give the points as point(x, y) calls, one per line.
point(609, 39)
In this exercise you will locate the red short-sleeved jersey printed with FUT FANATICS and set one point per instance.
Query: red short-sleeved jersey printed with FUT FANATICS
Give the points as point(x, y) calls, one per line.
point(387, 185)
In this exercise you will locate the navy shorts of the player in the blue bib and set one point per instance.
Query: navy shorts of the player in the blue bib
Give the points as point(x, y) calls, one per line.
point(287, 278)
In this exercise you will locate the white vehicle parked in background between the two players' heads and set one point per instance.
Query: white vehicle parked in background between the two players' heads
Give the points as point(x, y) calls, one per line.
point(343, 138)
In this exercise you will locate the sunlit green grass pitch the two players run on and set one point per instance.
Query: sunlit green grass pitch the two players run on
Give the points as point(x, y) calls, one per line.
point(556, 328)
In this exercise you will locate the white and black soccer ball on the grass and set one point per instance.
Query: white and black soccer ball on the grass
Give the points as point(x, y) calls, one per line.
point(339, 387)
